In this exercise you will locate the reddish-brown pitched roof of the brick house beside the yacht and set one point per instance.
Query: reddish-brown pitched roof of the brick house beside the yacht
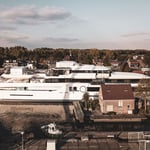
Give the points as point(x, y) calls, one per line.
point(117, 92)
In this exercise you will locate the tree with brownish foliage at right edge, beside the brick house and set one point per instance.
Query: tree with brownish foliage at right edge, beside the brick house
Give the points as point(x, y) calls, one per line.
point(143, 91)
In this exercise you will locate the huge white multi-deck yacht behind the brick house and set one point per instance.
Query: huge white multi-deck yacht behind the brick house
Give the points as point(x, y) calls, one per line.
point(68, 81)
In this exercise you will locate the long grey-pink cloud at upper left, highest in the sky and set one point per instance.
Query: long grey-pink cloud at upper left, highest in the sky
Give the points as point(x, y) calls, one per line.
point(33, 14)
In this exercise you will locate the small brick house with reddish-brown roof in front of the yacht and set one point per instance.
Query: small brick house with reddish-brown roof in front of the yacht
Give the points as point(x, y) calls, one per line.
point(116, 98)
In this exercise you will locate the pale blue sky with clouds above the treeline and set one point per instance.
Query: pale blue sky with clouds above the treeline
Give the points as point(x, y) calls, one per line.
point(101, 24)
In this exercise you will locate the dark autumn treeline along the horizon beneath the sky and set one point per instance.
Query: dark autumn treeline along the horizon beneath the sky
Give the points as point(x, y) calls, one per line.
point(51, 55)
